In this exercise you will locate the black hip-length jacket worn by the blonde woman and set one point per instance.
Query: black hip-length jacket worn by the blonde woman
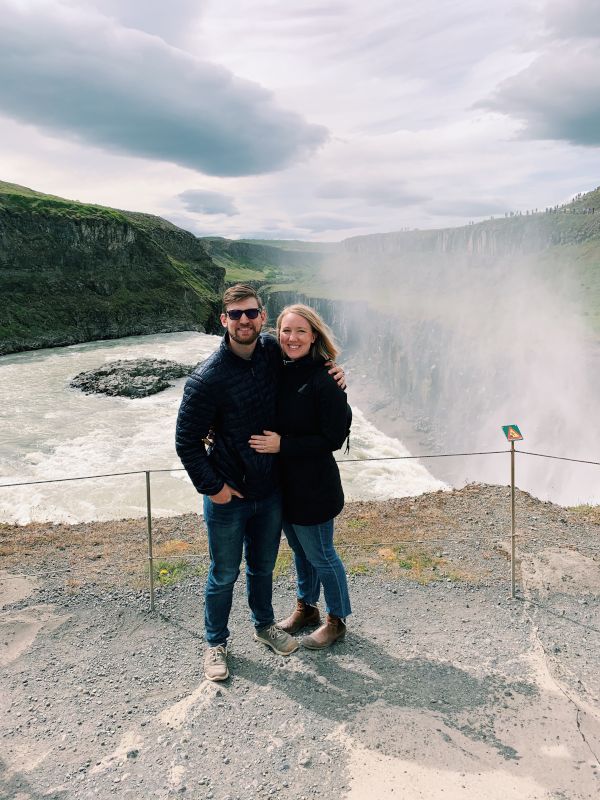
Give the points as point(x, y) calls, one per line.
point(313, 419)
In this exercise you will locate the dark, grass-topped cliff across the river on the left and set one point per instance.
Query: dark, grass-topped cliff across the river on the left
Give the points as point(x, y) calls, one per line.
point(71, 272)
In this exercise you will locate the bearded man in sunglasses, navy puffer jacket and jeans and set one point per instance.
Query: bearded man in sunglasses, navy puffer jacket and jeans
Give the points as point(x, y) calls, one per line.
point(233, 393)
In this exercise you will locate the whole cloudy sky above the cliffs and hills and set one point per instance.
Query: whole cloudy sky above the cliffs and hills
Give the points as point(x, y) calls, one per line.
point(294, 119)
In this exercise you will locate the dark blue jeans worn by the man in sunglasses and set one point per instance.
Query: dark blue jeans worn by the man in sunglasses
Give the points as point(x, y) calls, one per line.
point(251, 526)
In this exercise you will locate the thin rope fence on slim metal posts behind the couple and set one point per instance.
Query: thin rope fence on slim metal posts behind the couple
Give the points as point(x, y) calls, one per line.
point(513, 534)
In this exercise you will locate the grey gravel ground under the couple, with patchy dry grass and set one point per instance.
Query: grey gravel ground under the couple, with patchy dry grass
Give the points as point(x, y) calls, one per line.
point(444, 687)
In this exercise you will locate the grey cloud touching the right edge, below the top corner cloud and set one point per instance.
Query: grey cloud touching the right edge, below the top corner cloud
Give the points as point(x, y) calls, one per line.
point(557, 95)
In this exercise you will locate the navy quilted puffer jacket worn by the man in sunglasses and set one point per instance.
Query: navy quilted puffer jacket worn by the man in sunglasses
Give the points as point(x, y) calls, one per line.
point(235, 398)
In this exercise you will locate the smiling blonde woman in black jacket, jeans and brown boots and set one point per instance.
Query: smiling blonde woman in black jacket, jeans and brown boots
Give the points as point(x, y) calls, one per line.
point(313, 421)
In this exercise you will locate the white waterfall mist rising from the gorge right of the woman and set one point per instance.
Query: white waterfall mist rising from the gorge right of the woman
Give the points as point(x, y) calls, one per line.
point(458, 339)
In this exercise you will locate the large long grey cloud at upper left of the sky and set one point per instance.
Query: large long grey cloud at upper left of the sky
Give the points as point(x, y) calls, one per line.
point(76, 72)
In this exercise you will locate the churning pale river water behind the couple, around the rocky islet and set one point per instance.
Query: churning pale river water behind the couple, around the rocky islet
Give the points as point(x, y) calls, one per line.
point(50, 431)
